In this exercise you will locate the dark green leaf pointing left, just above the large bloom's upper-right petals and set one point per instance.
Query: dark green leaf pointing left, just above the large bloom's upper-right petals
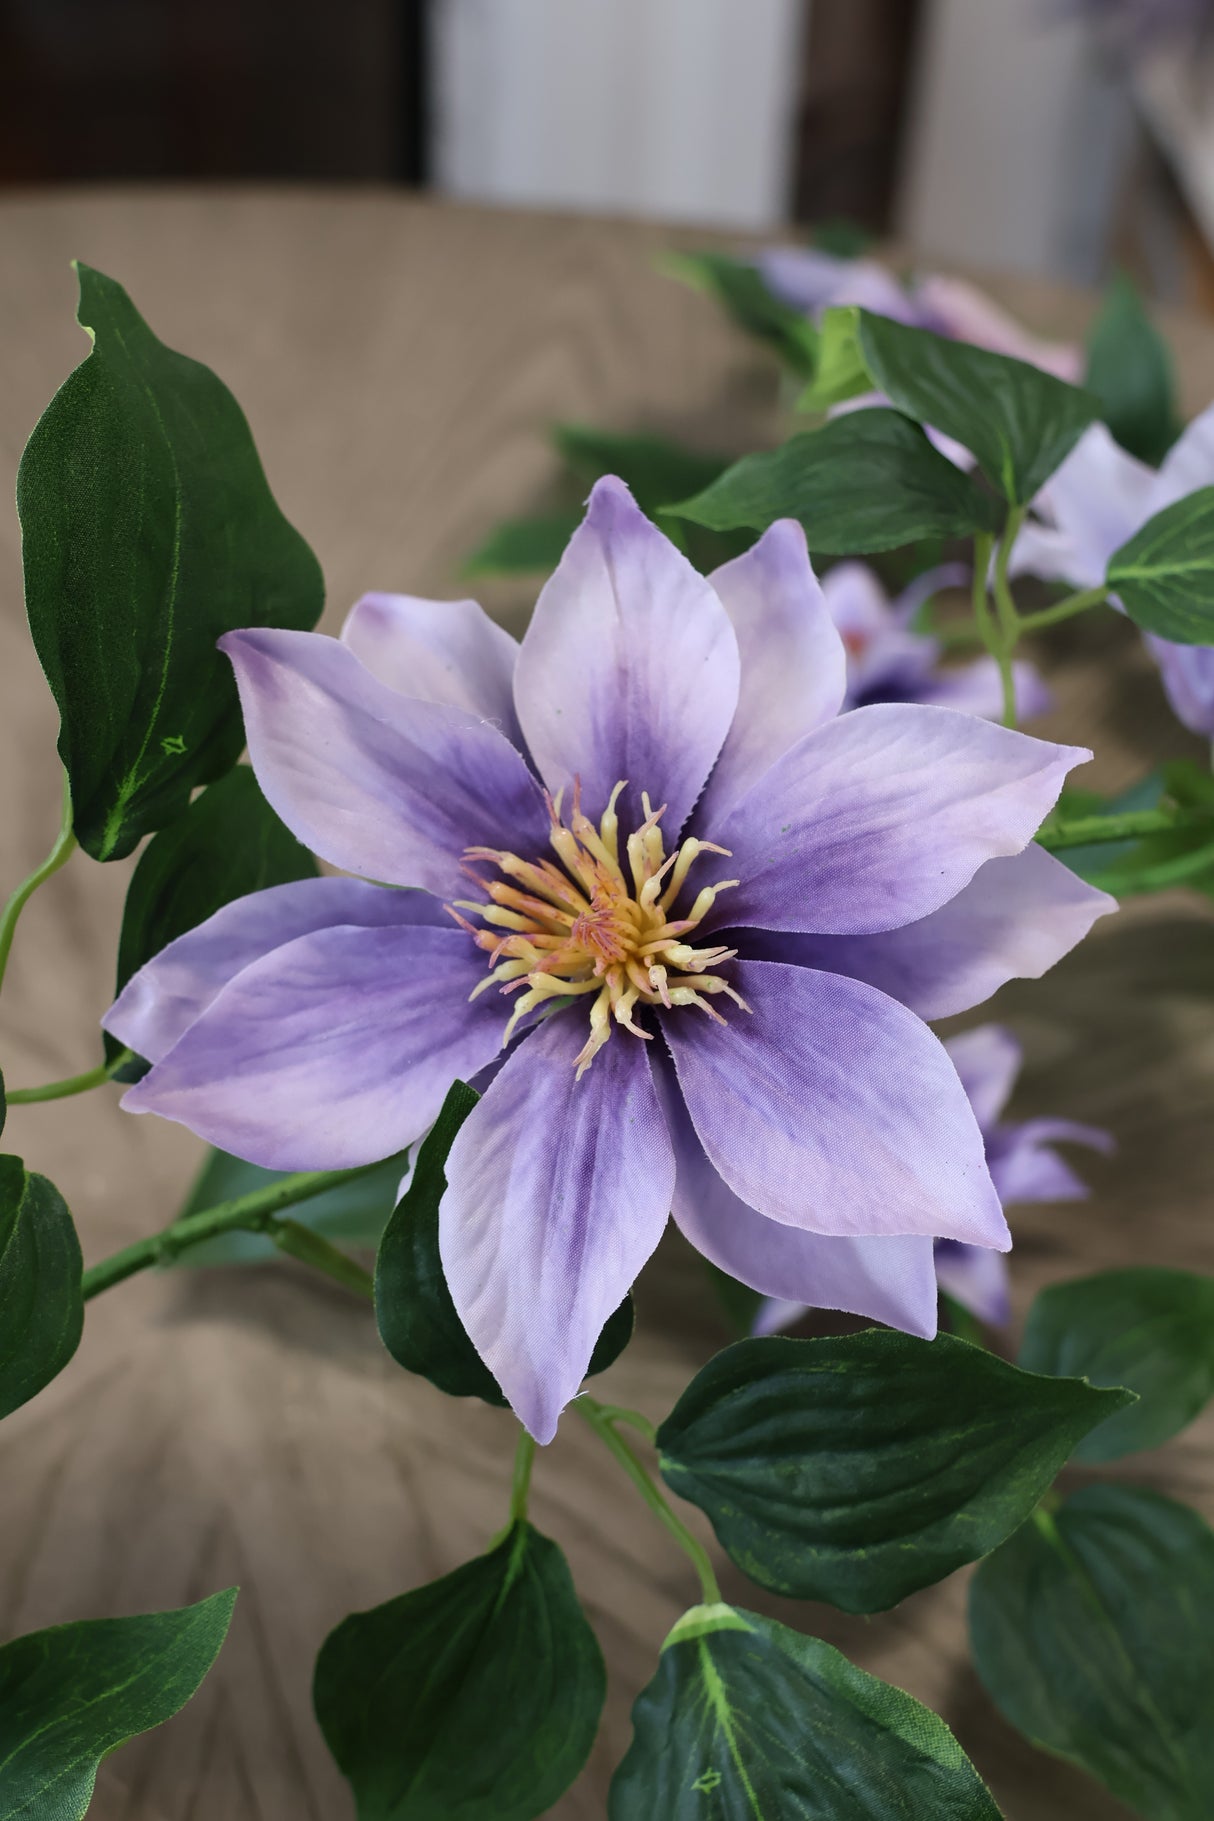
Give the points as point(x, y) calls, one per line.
point(860, 483)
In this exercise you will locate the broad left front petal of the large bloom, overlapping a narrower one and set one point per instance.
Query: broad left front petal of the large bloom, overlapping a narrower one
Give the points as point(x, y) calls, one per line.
point(334, 1050)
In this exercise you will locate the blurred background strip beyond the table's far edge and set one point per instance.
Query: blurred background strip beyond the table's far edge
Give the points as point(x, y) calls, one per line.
point(1044, 137)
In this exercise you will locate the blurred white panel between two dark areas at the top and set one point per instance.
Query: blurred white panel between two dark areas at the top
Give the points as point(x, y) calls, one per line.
point(673, 108)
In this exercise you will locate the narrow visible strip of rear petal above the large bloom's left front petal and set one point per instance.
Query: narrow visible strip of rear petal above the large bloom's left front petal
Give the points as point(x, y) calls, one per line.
point(168, 993)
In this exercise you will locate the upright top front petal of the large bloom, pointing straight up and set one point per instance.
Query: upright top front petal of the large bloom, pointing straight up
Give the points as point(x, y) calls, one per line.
point(629, 667)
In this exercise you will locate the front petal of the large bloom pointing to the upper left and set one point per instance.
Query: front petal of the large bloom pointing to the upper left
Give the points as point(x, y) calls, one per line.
point(372, 782)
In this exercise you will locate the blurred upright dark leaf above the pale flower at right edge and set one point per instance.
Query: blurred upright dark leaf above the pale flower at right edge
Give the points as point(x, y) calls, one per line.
point(1129, 371)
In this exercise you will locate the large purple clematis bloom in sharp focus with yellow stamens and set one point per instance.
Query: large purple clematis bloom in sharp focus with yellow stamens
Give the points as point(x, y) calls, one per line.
point(711, 911)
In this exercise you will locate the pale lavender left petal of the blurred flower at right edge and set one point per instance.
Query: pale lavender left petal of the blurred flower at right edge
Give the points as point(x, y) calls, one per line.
point(1091, 507)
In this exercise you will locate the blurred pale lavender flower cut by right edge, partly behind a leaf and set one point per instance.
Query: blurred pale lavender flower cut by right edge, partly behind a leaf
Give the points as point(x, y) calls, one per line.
point(1091, 507)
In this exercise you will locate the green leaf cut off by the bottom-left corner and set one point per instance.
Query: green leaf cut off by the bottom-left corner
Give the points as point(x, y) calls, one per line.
point(77, 1693)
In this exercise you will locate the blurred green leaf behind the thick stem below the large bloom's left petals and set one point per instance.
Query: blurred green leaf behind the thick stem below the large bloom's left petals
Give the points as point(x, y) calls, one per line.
point(356, 1214)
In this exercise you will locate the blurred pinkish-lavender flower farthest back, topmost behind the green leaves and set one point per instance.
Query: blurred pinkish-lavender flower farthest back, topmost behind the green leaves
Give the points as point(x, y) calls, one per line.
point(813, 281)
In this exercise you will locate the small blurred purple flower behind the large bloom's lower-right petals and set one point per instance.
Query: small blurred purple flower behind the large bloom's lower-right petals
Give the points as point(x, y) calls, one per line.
point(1022, 1163)
